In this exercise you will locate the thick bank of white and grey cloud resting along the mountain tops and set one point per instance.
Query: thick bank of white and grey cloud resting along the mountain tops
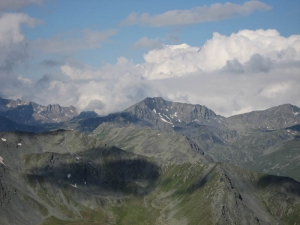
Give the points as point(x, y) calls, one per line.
point(248, 70)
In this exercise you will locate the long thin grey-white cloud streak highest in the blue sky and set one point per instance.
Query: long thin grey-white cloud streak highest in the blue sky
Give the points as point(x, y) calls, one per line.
point(214, 12)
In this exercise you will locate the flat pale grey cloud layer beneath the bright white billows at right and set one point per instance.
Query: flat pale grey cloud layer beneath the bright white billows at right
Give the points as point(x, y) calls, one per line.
point(228, 94)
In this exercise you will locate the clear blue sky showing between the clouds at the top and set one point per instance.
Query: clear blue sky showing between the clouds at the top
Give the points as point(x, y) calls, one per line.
point(75, 16)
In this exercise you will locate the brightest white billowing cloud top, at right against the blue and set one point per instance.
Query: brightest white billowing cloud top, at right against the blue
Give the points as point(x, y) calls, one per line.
point(247, 50)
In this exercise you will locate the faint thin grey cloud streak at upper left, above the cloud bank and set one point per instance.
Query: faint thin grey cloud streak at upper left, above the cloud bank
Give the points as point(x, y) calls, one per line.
point(71, 41)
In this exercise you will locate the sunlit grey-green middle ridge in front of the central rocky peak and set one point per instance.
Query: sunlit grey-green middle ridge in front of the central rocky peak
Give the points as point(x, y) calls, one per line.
point(162, 146)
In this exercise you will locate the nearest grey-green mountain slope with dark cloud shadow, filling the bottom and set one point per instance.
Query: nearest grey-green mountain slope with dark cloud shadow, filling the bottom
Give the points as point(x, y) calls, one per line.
point(65, 177)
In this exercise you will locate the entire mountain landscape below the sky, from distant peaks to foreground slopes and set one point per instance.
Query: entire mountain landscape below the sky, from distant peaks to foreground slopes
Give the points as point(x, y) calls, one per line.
point(156, 162)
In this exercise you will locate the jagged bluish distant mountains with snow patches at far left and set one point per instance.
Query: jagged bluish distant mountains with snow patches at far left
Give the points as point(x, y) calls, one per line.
point(31, 113)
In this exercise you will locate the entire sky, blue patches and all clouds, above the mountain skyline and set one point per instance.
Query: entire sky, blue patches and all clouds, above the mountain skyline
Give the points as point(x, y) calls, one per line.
point(231, 56)
